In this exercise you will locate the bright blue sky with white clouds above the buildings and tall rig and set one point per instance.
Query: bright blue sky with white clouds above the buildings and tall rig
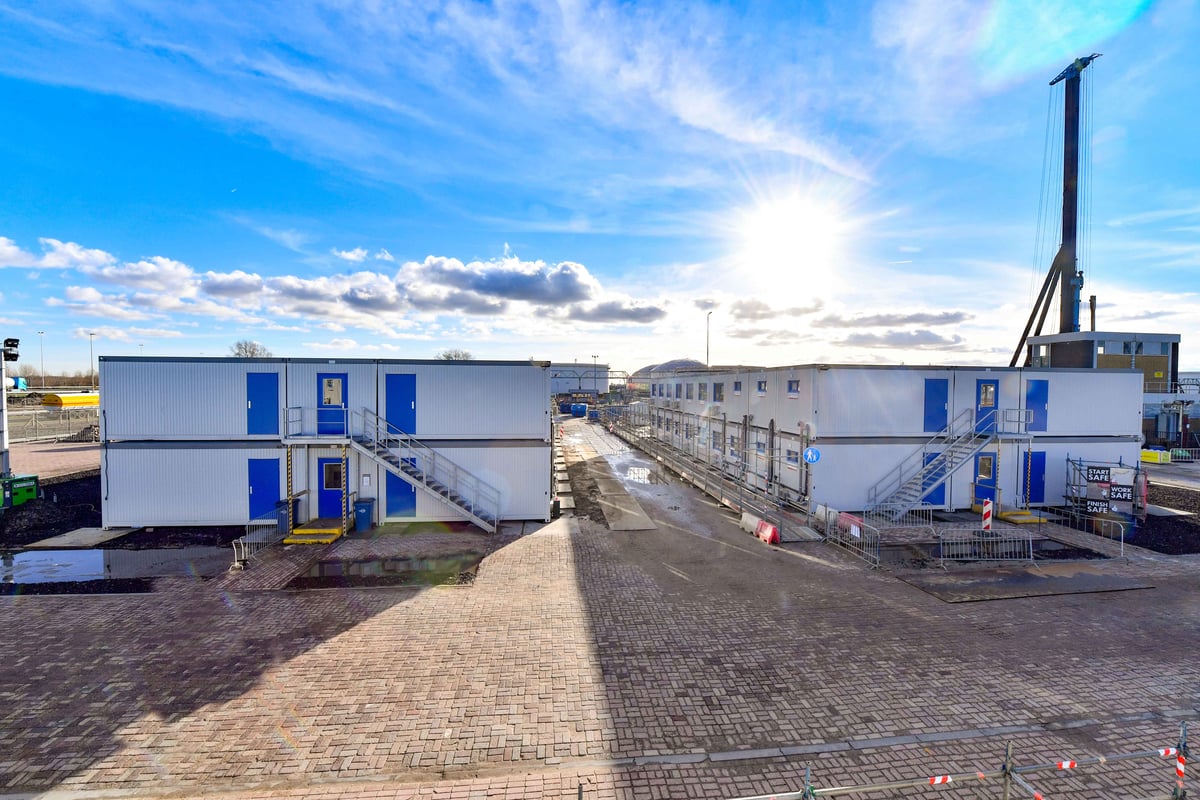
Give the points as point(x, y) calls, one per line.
point(836, 182)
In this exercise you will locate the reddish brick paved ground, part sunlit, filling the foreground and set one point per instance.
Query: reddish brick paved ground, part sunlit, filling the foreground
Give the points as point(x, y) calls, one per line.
point(637, 664)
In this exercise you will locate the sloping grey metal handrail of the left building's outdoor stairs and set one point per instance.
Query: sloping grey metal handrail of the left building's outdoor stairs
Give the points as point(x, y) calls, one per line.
point(478, 497)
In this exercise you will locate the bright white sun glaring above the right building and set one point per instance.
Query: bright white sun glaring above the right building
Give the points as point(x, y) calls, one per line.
point(793, 243)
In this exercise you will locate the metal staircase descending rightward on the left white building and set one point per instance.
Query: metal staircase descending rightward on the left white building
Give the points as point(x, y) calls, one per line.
point(403, 455)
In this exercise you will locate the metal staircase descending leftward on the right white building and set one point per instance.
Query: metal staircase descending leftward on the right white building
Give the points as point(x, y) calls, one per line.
point(904, 489)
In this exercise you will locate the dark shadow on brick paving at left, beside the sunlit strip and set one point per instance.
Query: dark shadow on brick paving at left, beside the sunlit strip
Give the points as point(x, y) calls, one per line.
point(101, 679)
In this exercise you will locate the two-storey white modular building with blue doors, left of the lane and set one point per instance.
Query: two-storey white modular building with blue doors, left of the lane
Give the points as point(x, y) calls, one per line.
point(218, 442)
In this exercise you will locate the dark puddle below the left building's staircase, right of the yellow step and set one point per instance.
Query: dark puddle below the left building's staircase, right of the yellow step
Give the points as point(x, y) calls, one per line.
point(389, 573)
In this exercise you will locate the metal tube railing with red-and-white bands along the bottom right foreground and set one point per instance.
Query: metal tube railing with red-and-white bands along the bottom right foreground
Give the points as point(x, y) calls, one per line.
point(1010, 774)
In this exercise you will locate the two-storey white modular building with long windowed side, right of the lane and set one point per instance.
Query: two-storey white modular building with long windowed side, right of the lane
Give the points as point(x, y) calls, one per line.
point(860, 437)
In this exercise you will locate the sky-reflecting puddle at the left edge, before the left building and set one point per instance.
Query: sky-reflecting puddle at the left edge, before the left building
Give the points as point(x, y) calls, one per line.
point(63, 567)
